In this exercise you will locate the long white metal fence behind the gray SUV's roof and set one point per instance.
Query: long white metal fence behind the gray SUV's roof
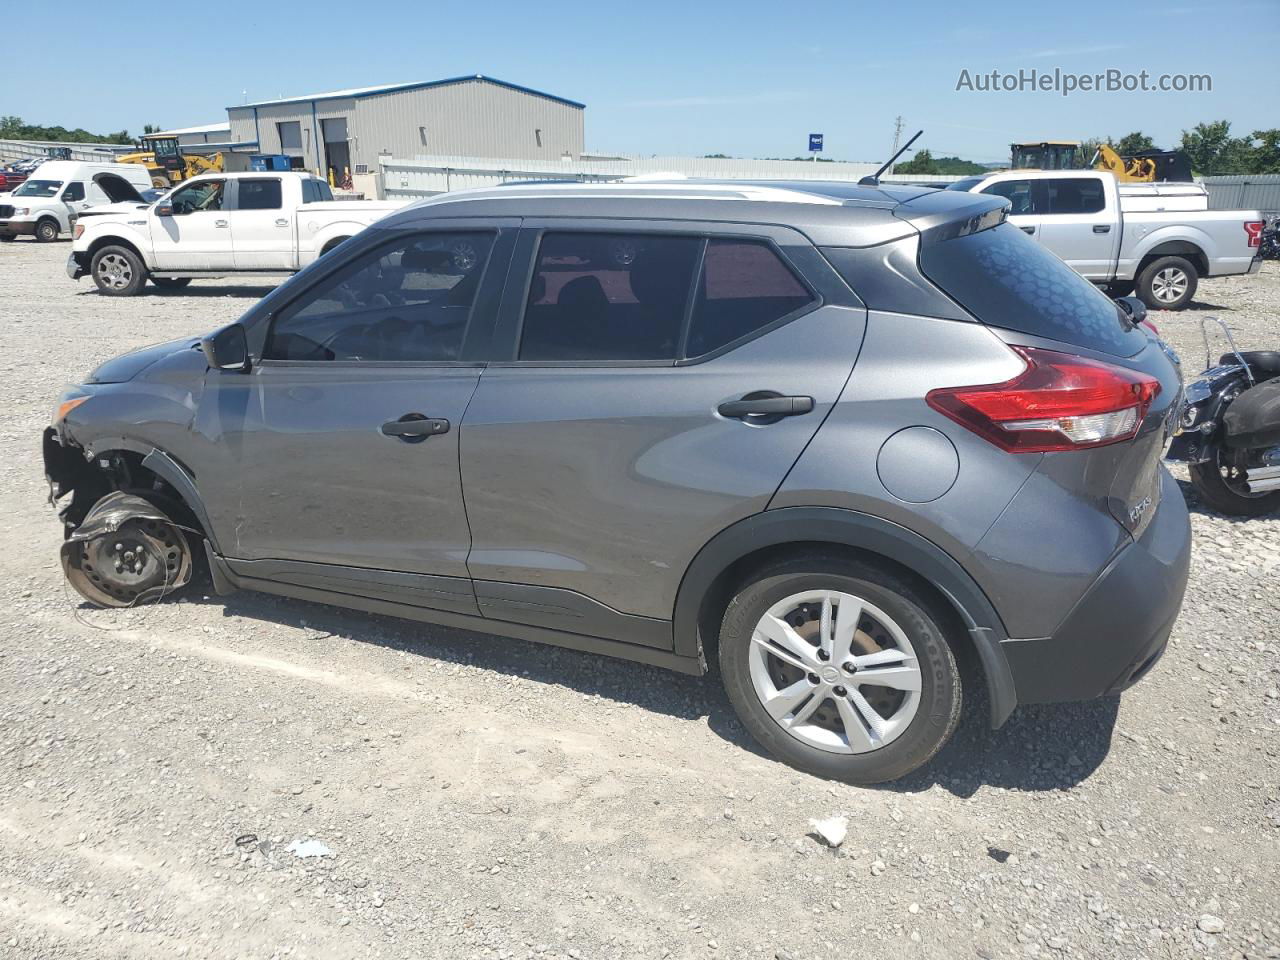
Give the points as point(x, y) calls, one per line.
point(428, 176)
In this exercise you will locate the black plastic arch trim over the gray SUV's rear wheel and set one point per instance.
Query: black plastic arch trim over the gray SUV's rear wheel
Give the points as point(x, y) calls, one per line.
point(863, 532)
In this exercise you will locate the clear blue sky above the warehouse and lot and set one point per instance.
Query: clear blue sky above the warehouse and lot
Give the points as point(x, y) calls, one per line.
point(746, 79)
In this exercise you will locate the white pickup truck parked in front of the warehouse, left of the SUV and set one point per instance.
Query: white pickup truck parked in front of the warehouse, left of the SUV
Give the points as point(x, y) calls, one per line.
point(214, 226)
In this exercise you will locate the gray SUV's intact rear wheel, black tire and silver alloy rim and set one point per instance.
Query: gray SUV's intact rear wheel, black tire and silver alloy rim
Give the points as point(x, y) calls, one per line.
point(840, 669)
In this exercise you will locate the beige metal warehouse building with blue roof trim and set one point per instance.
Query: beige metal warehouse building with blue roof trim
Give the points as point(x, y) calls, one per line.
point(465, 116)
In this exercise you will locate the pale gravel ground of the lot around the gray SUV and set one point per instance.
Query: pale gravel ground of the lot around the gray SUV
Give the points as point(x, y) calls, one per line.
point(486, 798)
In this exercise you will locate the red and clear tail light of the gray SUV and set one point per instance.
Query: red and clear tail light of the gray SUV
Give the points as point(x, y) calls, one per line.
point(1060, 403)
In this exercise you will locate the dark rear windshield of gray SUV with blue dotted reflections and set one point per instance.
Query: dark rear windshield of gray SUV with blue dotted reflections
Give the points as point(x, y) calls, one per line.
point(1005, 278)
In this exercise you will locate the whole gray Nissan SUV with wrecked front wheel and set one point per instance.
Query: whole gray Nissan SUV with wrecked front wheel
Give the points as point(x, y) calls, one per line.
point(835, 438)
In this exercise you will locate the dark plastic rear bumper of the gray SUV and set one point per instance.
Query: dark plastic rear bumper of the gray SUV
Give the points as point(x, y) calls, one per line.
point(1119, 629)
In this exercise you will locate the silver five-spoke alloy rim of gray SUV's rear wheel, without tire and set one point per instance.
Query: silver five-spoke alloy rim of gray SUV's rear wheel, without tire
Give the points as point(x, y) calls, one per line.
point(835, 671)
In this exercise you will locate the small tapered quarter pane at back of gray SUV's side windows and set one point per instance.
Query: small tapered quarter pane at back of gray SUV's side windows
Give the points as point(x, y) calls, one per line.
point(744, 287)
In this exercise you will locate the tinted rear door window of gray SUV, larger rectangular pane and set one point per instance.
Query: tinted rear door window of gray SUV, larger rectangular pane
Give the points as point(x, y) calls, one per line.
point(609, 296)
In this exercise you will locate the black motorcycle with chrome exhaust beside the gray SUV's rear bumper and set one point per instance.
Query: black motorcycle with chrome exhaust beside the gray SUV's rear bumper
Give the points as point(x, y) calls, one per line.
point(1229, 431)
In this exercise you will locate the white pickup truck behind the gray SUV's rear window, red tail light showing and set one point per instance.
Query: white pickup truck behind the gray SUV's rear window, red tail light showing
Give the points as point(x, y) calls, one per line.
point(1126, 240)
